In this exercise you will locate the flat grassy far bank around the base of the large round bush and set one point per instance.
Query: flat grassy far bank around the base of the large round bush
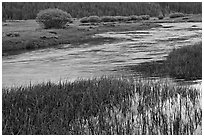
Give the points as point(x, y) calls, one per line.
point(31, 36)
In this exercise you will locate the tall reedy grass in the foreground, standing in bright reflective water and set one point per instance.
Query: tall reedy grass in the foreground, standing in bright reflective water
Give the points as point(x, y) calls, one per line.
point(101, 106)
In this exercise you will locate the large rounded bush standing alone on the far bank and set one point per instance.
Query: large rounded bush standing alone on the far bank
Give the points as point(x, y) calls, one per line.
point(53, 18)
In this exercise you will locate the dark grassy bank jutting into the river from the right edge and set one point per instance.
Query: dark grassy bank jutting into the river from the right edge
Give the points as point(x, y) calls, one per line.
point(183, 63)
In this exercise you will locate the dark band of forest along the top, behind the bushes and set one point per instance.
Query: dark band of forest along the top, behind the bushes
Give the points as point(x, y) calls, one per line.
point(29, 10)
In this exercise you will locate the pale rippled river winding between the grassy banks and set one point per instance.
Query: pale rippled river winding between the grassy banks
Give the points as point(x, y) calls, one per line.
point(88, 61)
